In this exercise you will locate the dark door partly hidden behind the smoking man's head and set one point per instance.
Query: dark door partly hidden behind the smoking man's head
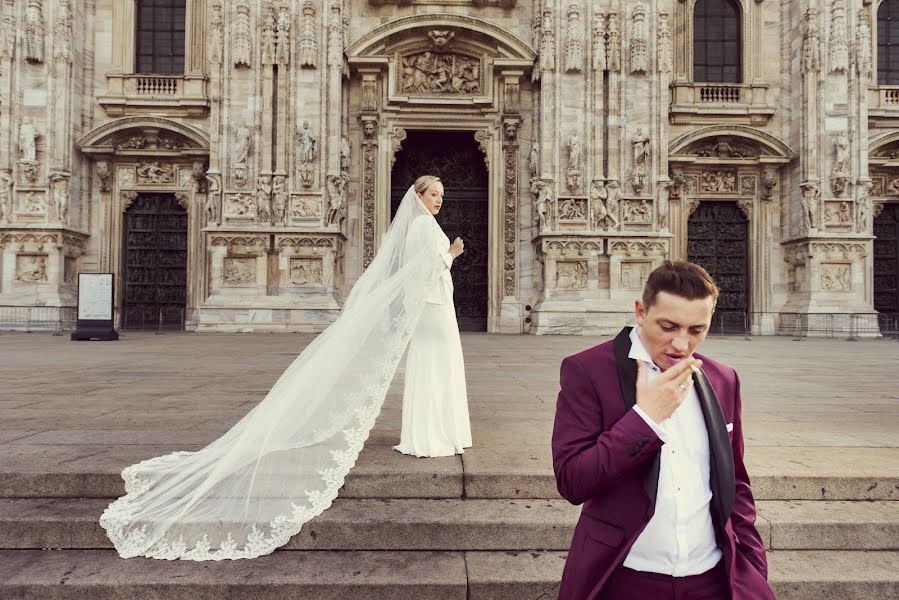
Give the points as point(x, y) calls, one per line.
point(717, 239)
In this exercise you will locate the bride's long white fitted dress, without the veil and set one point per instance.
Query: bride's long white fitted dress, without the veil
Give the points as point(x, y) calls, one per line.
point(435, 402)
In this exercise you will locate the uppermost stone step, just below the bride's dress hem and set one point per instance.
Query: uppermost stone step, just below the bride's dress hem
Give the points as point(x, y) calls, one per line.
point(93, 471)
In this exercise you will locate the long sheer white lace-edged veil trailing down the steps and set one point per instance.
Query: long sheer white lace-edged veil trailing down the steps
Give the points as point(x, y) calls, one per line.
point(249, 491)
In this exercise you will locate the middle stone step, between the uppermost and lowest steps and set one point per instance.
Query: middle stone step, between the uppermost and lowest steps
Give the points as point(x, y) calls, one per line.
point(463, 525)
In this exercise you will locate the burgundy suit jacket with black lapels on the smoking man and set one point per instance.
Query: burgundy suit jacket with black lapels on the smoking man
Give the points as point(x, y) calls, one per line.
point(607, 458)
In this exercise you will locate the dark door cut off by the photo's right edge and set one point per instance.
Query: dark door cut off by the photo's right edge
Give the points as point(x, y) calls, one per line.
point(886, 267)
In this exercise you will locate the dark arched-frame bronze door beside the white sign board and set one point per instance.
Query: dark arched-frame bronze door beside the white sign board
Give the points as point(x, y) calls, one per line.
point(155, 268)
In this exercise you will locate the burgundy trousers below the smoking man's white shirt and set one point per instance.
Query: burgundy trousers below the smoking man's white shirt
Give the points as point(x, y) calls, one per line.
point(627, 584)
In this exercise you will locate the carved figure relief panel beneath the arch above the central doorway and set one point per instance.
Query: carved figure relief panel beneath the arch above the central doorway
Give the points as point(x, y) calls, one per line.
point(432, 73)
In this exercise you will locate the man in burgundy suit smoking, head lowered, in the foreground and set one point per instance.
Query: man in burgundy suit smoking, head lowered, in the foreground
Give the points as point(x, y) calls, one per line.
point(648, 437)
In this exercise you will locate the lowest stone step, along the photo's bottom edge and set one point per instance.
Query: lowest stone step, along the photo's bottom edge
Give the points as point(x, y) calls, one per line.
point(328, 575)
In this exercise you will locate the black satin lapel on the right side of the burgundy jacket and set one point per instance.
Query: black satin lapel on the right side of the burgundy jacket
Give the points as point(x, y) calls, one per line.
point(721, 458)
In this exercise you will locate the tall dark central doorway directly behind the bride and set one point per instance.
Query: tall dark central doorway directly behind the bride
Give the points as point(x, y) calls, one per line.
point(454, 157)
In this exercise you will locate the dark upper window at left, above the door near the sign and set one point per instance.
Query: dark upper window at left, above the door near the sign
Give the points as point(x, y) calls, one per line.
point(159, 37)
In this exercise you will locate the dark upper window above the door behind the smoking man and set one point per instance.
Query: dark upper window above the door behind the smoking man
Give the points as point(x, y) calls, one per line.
point(717, 42)
